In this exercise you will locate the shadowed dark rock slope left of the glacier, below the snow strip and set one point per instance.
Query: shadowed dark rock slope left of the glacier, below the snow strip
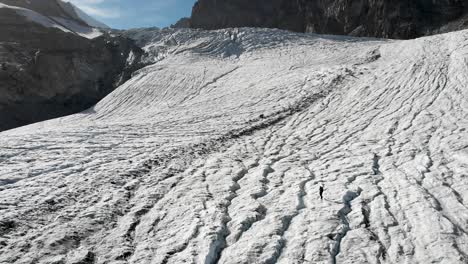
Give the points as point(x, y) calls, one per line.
point(47, 73)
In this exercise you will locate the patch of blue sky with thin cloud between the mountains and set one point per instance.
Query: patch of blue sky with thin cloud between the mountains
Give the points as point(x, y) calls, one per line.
point(124, 14)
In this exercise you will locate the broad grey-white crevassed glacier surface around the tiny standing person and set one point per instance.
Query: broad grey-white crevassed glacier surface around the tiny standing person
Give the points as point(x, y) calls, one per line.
point(215, 153)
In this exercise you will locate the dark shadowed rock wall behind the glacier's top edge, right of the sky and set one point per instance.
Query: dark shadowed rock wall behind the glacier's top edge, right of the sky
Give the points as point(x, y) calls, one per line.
point(374, 18)
